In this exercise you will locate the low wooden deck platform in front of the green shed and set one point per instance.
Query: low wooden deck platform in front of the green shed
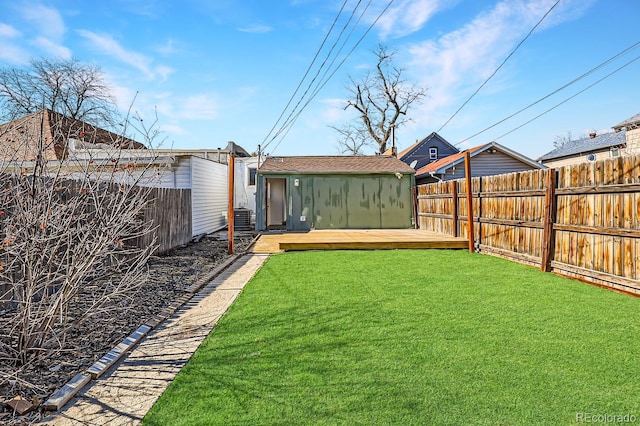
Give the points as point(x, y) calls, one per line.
point(349, 239)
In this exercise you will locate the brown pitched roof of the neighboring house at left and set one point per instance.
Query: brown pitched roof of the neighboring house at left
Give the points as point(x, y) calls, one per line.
point(21, 139)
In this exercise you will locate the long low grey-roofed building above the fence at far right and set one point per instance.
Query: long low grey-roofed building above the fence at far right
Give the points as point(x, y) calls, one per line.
point(591, 148)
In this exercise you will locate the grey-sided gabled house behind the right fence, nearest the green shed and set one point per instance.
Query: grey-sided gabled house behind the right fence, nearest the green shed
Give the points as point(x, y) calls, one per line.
point(486, 160)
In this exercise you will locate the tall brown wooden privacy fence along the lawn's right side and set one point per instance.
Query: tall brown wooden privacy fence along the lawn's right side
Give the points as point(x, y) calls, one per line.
point(582, 221)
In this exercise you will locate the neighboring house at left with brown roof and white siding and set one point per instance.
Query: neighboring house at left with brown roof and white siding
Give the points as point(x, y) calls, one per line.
point(75, 148)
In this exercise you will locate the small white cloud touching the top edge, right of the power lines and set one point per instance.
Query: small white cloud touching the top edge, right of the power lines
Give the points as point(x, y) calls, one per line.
point(407, 16)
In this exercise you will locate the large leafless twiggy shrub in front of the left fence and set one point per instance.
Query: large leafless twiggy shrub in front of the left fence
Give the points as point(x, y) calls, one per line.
point(68, 228)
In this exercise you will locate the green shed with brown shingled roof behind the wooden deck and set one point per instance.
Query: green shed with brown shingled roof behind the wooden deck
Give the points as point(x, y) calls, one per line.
point(334, 192)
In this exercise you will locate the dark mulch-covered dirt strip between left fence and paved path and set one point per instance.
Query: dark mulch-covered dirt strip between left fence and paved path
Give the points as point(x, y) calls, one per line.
point(170, 275)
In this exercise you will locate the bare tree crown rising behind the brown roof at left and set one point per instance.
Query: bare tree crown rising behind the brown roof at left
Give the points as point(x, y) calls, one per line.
point(69, 87)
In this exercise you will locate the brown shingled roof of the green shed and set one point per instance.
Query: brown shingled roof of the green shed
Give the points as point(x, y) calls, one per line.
point(368, 164)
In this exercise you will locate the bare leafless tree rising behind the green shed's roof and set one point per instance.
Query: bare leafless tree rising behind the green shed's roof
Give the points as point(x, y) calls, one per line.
point(382, 99)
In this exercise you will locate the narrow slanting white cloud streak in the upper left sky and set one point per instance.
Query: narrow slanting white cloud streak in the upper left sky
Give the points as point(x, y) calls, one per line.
point(109, 46)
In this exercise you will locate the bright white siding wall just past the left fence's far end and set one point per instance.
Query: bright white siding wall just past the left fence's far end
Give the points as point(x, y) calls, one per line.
point(209, 195)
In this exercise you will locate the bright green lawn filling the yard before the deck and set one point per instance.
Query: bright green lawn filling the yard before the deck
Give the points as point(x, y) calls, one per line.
point(411, 337)
